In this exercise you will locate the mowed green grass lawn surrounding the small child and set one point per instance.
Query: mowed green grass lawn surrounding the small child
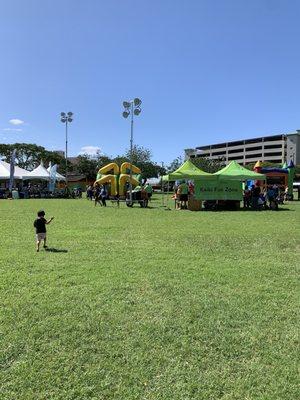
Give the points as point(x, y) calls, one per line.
point(148, 303)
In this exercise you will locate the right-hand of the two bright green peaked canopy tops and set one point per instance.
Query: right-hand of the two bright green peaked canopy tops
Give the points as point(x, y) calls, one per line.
point(234, 171)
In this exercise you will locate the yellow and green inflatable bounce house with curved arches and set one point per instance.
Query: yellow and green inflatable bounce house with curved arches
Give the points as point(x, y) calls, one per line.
point(117, 177)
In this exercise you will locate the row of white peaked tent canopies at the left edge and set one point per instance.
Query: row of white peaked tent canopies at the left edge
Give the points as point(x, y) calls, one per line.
point(39, 173)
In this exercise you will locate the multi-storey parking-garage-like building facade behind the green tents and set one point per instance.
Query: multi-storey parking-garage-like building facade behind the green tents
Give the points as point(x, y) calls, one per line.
point(274, 149)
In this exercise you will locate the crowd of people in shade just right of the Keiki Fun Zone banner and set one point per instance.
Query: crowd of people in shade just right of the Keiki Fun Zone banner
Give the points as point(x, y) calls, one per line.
point(269, 197)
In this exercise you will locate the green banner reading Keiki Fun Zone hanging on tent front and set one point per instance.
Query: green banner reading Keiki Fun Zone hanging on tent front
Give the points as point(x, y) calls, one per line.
point(218, 190)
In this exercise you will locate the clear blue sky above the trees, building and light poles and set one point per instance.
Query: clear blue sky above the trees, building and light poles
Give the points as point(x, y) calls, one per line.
point(206, 71)
